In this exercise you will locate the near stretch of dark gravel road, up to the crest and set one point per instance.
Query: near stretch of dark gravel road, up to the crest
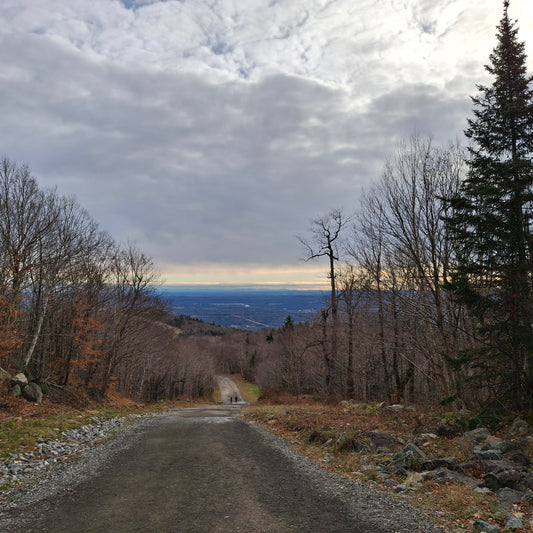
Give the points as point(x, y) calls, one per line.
point(201, 470)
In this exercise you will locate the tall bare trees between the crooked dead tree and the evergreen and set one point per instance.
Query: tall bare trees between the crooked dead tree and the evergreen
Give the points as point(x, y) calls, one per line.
point(402, 244)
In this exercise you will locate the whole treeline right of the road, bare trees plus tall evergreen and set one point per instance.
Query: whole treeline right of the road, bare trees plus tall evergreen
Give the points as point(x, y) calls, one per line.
point(432, 280)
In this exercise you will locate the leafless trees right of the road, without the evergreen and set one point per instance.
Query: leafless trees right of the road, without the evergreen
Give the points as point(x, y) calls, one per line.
point(389, 329)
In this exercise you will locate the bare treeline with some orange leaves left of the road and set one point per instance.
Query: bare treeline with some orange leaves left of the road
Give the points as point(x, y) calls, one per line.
point(78, 312)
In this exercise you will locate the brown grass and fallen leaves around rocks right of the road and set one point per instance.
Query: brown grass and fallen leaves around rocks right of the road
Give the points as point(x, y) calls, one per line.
point(313, 429)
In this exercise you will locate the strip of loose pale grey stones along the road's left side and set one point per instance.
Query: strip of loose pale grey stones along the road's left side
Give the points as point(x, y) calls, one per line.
point(72, 443)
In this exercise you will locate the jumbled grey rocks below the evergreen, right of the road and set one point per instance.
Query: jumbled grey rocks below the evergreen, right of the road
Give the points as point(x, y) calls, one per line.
point(497, 465)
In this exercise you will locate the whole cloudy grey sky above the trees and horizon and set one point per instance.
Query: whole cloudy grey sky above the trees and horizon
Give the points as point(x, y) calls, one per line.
point(212, 132)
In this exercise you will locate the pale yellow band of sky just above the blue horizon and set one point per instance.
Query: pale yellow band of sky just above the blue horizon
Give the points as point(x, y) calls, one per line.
point(302, 276)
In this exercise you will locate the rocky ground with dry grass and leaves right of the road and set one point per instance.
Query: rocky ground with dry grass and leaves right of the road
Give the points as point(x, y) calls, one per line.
point(470, 480)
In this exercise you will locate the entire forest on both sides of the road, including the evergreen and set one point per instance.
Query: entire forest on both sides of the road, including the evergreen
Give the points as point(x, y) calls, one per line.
point(431, 283)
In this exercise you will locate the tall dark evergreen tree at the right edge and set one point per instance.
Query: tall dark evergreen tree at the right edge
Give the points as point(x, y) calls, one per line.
point(491, 221)
